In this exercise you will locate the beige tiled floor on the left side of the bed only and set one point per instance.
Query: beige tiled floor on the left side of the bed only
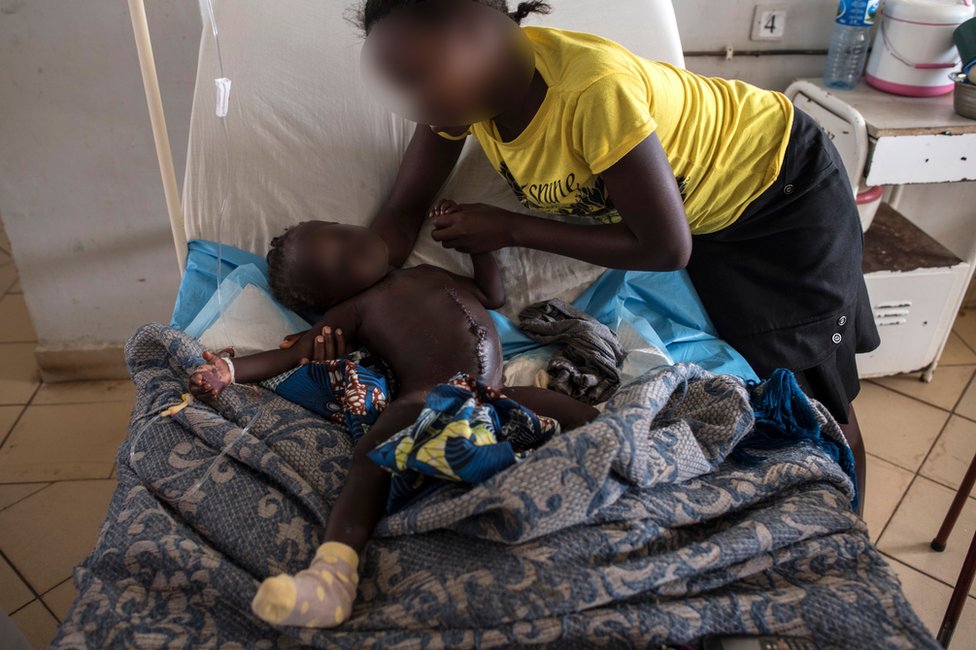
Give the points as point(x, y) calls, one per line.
point(57, 455)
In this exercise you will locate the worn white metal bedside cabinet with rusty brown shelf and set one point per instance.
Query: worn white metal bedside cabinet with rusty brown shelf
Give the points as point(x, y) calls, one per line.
point(921, 252)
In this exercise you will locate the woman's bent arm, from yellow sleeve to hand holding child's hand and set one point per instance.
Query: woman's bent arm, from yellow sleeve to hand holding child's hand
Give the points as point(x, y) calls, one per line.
point(654, 235)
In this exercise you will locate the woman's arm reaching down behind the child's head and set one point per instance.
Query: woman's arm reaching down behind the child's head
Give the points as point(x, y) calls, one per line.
point(427, 163)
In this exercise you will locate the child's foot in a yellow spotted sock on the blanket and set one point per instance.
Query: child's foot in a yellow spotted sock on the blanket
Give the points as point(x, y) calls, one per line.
point(320, 596)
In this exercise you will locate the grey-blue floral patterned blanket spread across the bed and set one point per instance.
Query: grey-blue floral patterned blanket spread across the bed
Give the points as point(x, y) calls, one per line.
point(639, 529)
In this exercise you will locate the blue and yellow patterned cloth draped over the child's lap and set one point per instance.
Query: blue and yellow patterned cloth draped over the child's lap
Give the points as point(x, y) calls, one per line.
point(467, 432)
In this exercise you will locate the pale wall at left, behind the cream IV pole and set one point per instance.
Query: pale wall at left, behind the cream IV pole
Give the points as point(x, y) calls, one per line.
point(80, 194)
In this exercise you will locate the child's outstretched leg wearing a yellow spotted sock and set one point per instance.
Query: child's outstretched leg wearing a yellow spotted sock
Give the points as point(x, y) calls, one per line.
point(322, 595)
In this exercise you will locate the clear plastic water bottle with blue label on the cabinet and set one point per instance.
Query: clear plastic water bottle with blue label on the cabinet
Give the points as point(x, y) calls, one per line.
point(849, 46)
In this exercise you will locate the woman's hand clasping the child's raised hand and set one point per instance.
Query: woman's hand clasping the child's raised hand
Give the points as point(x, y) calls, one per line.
point(473, 228)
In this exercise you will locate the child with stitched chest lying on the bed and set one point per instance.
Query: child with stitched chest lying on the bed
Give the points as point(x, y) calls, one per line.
point(428, 324)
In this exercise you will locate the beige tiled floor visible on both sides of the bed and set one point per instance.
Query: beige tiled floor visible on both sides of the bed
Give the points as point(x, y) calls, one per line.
point(57, 445)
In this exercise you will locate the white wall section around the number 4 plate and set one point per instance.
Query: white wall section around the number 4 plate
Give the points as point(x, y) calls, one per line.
point(708, 27)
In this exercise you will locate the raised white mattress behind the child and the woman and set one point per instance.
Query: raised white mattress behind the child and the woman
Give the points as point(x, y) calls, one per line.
point(304, 140)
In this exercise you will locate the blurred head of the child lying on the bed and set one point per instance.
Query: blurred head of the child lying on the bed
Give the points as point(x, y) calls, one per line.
point(318, 264)
